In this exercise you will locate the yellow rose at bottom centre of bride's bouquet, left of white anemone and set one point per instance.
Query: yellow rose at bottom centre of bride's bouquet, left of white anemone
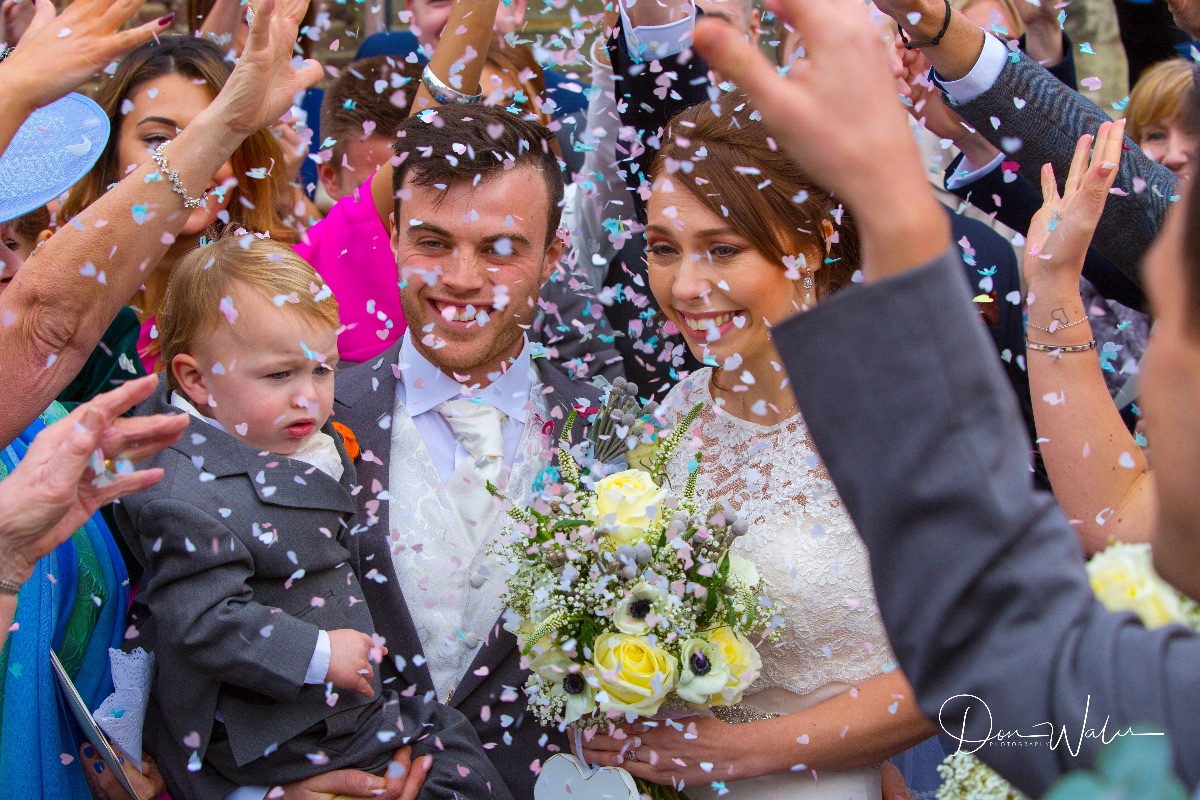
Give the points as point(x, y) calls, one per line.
point(635, 676)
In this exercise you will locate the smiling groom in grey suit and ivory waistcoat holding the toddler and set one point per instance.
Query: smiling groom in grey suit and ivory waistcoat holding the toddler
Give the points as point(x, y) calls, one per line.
point(463, 400)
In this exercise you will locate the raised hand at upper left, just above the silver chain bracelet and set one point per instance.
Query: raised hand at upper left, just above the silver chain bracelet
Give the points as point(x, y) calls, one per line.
point(266, 80)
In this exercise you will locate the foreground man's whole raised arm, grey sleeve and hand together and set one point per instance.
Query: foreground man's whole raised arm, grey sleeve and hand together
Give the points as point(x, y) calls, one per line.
point(980, 579)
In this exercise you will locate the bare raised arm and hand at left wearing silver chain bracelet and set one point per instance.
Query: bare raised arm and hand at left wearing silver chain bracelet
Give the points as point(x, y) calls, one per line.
point(63, 300)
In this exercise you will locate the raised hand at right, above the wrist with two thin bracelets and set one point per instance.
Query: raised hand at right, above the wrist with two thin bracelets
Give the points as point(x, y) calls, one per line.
point(1063, 228)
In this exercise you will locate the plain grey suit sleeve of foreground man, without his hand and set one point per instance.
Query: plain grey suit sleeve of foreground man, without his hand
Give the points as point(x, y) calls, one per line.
point(980, 579)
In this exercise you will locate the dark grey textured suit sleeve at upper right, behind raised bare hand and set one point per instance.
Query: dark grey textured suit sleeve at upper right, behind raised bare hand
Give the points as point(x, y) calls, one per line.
point(1045, 119)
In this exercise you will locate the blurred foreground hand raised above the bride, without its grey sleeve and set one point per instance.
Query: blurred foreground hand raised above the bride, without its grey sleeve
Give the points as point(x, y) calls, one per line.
point(838, 117)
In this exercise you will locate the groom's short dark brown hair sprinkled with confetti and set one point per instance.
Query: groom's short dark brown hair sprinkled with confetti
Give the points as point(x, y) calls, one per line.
point(473, 143)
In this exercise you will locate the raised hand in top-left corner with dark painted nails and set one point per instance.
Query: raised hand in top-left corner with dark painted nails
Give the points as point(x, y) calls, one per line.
point(80, 43)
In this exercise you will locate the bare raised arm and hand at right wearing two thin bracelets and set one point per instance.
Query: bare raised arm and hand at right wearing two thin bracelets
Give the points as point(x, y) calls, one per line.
point(1100, 474)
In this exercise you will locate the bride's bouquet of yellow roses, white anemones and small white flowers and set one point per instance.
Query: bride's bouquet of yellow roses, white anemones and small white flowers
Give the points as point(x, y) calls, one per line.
point(623, 596)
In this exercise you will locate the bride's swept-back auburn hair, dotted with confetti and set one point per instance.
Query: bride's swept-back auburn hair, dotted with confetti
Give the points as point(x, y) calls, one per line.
point(722, 154)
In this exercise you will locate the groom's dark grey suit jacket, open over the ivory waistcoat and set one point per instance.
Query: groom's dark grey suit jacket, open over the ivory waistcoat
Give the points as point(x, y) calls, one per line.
point(490, 694)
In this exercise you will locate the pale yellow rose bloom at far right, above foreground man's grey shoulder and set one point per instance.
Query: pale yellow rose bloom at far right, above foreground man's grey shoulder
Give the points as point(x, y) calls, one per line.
point(1124, 579)
